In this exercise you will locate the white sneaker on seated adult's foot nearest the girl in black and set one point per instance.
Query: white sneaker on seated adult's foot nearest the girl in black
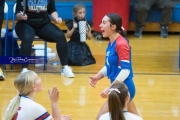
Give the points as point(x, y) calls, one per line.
point(67, 71)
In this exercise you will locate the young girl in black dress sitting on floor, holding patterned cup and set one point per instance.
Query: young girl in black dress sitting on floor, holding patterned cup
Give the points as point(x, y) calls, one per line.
point(79, 53)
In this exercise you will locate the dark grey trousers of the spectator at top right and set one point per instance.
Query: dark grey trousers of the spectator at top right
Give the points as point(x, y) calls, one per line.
point(143, 6)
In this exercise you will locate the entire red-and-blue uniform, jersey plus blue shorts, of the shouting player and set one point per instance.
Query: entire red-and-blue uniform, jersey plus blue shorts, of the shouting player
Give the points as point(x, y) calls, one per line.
point(118, 59)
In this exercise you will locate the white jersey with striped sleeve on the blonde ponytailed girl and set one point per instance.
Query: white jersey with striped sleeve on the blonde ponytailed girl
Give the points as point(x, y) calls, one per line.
point(30, 110)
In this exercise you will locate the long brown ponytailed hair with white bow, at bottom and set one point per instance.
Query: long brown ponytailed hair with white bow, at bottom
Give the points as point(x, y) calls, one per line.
point(116, 101)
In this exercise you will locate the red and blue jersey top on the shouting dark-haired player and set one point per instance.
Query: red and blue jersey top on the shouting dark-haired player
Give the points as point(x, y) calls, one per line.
point(118, 57)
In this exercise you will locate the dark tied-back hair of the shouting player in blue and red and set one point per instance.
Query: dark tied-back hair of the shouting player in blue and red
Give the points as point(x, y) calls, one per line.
point(115, 19)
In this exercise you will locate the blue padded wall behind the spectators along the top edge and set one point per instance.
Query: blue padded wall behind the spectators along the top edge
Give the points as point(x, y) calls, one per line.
point(65, 11)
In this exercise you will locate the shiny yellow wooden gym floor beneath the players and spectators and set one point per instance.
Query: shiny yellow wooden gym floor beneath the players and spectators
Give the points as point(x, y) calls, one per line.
point(156, 76)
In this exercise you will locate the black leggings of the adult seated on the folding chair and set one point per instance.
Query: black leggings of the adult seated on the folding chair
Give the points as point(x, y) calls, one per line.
point(48, 32)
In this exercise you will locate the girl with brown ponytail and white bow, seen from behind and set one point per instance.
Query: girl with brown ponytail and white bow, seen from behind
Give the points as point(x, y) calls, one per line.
point(117, 102)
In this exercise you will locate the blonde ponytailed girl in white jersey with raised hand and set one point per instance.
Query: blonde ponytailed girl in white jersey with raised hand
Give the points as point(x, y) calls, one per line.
point(23, 106)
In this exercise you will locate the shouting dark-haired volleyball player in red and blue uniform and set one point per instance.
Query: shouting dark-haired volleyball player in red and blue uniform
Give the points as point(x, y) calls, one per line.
point(118, 67)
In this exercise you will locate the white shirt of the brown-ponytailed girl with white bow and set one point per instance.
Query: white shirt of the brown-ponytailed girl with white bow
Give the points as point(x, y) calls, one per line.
point(127, 115)
